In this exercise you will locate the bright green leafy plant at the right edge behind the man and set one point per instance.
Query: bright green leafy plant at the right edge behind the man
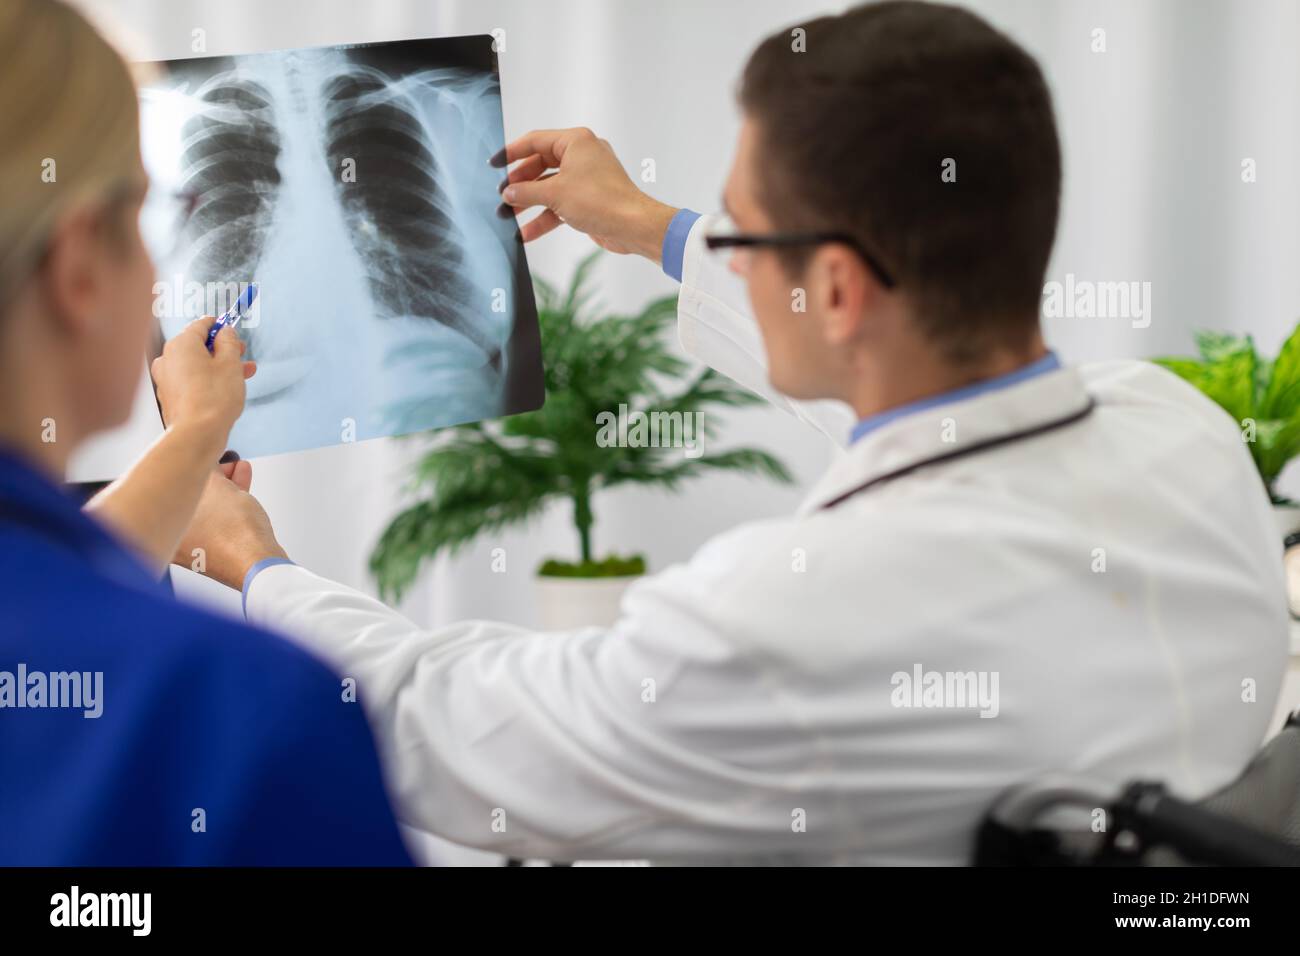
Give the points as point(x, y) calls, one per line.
point(1263, 396)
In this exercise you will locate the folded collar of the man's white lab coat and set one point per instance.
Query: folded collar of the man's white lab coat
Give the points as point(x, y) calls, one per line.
point(950, 427)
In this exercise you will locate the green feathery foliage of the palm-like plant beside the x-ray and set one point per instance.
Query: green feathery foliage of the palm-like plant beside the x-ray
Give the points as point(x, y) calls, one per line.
point(484, 477)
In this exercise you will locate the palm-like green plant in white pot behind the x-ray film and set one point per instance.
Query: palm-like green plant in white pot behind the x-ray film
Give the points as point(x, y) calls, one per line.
point(608, 382)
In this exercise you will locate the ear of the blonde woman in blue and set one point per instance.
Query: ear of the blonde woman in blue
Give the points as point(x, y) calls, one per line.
point(72, 272)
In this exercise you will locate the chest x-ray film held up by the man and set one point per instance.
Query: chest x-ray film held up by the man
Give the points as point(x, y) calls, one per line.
point(353, 187)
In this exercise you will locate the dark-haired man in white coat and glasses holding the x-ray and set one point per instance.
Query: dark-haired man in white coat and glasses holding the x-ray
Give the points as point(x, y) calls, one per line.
point(1016, 568)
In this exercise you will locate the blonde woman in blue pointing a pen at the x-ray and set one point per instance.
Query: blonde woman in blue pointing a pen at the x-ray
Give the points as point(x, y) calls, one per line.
point(136, 730)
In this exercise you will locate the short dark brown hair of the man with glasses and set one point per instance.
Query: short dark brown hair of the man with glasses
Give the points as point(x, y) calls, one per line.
point(857, 129)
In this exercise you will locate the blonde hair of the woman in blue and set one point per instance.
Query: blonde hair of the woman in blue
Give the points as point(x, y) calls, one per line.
point(70, 127)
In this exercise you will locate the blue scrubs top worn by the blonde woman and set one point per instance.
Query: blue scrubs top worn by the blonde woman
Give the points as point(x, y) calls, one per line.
point(215, 745)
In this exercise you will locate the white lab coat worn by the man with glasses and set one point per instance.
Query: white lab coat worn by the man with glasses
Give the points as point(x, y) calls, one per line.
point(1120, 576)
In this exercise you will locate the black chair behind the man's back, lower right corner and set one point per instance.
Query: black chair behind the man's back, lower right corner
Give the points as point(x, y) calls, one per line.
point(1255, 821)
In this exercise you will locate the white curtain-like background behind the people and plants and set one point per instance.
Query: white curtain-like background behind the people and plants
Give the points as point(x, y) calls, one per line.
point(1155, 131)
